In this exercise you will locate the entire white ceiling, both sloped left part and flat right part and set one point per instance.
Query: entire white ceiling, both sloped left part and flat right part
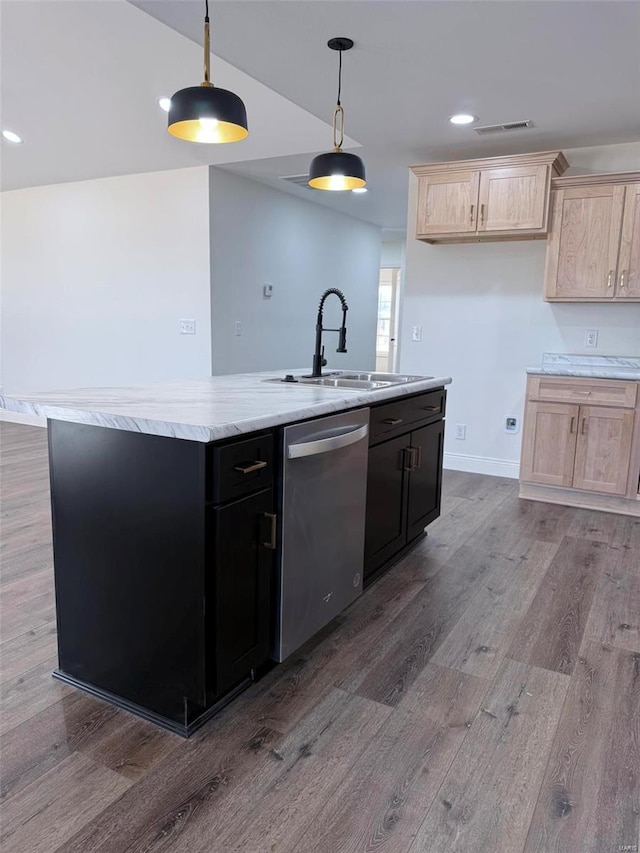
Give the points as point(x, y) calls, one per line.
point(80, 79)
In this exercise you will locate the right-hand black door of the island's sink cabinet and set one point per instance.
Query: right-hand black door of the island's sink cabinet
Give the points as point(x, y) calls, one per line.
point(425, 480)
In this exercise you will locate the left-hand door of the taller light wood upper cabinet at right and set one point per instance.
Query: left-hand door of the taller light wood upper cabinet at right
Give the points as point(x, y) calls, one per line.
point(582, 253)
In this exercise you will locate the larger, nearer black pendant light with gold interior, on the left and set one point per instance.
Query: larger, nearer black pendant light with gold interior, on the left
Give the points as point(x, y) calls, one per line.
point(205, 113)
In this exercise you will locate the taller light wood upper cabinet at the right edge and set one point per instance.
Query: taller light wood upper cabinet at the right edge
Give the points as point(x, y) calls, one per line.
point(593, 253)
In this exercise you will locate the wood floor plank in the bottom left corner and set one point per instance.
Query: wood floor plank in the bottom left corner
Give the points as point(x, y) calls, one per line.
point(50, 810)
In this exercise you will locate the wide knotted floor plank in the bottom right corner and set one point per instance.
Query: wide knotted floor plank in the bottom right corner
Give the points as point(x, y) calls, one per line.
point(590, 797)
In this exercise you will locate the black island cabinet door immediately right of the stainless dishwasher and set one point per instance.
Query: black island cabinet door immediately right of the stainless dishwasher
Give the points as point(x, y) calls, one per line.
point(386, 499)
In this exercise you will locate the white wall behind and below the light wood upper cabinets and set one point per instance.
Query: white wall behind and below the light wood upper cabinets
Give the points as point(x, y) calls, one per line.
point(484, 322)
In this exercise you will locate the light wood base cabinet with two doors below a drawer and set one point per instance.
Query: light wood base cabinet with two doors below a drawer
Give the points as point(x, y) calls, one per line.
point(579, 449)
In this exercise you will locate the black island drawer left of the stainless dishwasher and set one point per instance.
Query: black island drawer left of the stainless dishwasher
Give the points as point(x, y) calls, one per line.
point(241, 468)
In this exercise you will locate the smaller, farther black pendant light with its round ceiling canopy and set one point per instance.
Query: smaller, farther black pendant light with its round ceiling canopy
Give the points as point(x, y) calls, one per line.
point(337, 170)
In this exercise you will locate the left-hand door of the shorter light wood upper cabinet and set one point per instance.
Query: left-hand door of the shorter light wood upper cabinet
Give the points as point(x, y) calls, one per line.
point(447, 203)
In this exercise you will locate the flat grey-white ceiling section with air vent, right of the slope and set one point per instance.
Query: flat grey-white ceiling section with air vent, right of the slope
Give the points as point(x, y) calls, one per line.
point(573, 67)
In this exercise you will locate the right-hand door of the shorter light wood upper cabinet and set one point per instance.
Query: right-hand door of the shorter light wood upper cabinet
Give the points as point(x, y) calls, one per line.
point(513, 199)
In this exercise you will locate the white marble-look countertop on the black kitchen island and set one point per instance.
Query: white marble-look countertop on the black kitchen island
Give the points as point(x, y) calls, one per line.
point(205, 409)
